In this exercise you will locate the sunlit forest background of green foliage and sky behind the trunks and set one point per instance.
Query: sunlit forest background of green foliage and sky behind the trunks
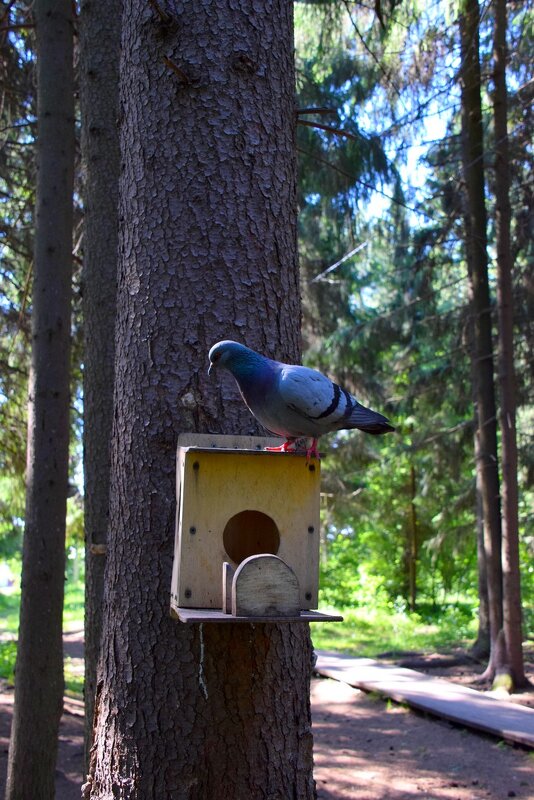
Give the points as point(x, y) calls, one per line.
point(388, 309)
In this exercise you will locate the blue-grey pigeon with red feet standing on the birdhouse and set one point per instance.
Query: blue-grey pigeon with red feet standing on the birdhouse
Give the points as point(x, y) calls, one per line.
point(293, 401)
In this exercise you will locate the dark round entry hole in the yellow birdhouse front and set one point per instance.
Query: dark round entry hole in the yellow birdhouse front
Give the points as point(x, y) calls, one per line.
point(250, 533)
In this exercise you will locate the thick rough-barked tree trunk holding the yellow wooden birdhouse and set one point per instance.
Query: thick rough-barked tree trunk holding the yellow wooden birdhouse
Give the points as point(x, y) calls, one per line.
point(207, 251)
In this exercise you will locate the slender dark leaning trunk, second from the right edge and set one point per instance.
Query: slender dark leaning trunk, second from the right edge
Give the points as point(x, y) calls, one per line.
point(477, 260)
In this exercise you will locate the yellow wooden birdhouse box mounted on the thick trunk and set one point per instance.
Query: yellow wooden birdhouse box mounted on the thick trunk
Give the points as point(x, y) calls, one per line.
point(247, 532)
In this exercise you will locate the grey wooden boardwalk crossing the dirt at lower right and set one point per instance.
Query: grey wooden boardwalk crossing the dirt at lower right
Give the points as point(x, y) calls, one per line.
point(508, 721)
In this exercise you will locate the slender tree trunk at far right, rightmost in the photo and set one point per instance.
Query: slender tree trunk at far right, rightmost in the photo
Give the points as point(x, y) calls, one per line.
point(510, 522)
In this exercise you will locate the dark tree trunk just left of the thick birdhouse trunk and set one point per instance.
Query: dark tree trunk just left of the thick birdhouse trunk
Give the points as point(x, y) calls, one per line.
point(99, 102)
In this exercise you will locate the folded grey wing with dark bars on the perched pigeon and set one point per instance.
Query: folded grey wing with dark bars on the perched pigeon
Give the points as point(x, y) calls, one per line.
point(313, 396)
